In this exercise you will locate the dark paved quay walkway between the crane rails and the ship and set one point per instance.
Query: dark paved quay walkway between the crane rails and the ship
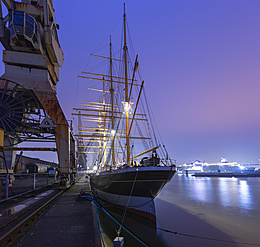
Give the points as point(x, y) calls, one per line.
point(71, 221)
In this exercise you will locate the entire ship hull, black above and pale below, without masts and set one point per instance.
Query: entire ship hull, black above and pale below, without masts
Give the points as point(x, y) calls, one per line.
point(133, 188)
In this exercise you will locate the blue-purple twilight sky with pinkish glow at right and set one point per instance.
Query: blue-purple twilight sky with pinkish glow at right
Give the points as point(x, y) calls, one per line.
point(200, 61)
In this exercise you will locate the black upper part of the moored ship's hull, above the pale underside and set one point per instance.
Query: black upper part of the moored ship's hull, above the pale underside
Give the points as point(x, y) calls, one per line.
point(147, 181)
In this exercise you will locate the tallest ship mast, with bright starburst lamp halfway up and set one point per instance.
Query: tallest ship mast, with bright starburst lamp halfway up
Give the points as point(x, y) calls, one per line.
point(126, 105)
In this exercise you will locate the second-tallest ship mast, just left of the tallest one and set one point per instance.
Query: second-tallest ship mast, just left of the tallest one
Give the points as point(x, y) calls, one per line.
point(112, 107)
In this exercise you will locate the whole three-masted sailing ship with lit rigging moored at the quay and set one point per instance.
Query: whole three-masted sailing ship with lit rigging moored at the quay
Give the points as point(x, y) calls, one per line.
point(130, 165)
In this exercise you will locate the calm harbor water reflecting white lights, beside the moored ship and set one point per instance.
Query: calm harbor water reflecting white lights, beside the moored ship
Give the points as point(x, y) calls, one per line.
point(200, 212)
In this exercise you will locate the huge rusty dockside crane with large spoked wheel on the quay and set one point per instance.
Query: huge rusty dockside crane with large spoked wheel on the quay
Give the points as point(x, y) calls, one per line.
point(29, 108)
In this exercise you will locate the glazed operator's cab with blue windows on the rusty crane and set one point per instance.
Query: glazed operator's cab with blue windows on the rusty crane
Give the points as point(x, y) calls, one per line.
point(23, 28)
